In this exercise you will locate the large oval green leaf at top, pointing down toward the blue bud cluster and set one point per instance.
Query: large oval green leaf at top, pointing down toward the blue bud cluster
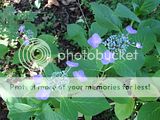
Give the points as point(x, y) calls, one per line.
point(104, 16)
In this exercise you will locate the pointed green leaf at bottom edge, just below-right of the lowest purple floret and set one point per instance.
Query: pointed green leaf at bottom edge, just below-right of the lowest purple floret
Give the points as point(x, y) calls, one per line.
point(49, 114)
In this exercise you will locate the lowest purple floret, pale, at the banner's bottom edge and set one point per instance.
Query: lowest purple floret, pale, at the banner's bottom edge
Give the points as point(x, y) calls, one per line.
point(42, 94)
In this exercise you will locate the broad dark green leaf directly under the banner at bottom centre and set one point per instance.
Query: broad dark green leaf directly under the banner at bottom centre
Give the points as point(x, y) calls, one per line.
point(90, 106)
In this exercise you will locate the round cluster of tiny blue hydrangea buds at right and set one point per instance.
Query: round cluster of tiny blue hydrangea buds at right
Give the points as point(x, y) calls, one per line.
point(117, 43)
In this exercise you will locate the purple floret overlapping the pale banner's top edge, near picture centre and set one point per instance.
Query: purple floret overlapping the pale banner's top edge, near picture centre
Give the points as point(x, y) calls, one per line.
point(80, 75)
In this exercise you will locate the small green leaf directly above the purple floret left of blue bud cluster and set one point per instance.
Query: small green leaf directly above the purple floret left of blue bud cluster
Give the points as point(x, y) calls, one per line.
point(96, 28)
